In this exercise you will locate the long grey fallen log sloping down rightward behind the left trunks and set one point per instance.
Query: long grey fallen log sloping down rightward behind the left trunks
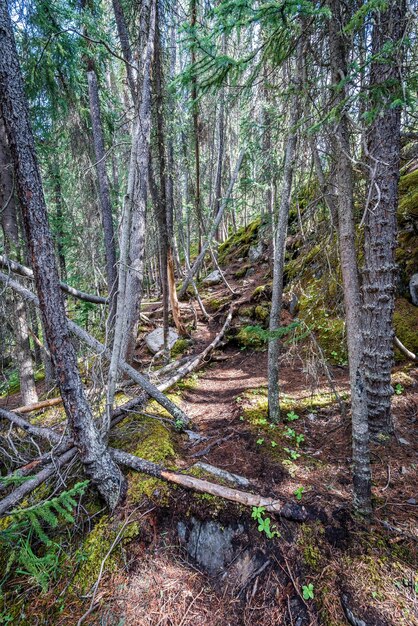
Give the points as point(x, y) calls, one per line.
point(100, 349)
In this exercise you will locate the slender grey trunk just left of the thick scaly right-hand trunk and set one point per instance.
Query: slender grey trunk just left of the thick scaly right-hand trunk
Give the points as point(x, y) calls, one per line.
point(349, 268)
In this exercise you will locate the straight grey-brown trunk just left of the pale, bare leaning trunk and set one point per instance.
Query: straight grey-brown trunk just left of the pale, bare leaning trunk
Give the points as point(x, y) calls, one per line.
point(104, 191)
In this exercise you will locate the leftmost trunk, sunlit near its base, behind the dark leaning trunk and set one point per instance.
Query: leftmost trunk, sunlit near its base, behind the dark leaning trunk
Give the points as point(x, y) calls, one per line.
point(19, 318)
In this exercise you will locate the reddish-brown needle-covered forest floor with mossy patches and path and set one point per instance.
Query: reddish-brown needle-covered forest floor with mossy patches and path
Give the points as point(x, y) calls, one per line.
point(356, 572)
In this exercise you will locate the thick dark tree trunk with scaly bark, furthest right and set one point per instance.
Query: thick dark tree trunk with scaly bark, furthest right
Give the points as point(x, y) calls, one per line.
point(379, 274)
